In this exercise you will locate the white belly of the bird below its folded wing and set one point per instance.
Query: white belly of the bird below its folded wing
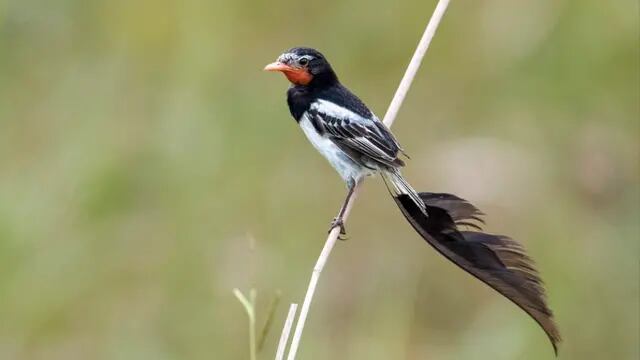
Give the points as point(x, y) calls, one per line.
point(347, 168)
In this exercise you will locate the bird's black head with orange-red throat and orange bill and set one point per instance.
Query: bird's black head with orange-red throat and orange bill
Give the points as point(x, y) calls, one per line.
point(304, 66)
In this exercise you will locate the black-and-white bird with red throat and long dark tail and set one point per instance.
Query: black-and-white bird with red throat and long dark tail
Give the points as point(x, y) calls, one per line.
point(358, 145)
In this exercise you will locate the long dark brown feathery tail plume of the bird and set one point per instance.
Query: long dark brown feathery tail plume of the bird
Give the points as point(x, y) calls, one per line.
point(497, 260)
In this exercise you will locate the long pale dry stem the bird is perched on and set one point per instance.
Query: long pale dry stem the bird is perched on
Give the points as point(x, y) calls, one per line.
point(390, 116)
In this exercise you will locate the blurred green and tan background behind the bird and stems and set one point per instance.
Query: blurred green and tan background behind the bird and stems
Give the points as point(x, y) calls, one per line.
point(148, 166)
